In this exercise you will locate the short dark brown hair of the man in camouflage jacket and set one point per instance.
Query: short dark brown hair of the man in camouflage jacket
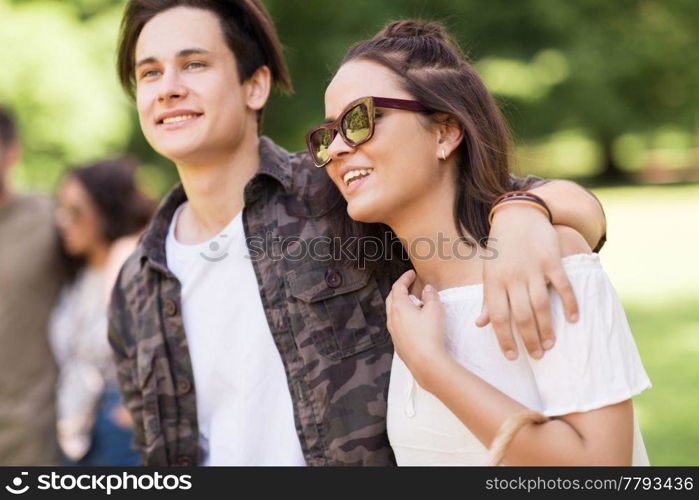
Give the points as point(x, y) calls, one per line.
point(246, 26)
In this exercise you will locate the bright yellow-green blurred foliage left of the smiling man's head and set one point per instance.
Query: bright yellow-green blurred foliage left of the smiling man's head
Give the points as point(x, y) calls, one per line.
point(59, 79)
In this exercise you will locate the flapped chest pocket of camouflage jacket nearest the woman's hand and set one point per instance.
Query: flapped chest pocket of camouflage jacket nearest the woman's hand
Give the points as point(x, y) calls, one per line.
point(338, 311)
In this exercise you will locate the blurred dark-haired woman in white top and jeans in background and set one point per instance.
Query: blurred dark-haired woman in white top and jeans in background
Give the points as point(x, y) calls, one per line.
point(100, 212)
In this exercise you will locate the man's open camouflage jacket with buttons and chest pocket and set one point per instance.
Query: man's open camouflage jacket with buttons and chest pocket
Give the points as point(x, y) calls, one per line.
point(328, 323)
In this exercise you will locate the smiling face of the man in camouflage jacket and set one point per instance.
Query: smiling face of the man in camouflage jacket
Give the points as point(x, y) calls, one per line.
point(191, 104)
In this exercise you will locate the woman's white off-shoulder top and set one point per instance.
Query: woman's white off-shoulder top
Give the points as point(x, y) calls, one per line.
point(594, 363)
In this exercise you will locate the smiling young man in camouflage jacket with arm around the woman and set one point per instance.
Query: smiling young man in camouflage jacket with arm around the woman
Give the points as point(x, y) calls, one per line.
point(231, 355)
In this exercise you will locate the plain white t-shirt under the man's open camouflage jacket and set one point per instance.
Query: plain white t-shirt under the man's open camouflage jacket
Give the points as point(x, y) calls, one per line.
point(244, 407)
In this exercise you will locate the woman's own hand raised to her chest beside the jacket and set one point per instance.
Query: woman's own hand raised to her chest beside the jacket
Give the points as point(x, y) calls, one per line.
point(417, 331)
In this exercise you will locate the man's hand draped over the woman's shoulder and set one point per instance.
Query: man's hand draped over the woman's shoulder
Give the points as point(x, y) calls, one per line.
point(527, 259)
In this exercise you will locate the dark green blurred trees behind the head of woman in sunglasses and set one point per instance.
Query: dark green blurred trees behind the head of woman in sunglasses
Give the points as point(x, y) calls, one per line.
point(606, 68)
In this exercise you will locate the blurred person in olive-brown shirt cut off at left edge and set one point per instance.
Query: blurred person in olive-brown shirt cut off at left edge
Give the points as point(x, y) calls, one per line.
point(31, 270)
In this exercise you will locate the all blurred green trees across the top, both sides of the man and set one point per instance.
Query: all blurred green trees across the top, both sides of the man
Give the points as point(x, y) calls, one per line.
point(604, 68)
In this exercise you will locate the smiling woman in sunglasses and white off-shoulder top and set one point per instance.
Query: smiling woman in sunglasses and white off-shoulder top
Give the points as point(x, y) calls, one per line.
point(414, 141)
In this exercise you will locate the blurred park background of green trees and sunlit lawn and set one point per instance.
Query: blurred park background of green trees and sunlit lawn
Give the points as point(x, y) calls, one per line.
point(604, 93)
